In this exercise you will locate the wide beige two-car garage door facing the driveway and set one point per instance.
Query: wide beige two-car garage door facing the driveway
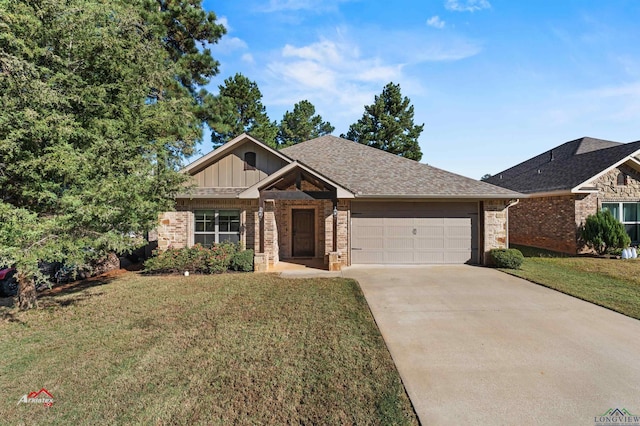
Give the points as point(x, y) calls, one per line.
point(414, 233)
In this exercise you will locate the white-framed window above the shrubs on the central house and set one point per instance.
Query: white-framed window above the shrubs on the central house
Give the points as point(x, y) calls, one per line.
point(216, 226)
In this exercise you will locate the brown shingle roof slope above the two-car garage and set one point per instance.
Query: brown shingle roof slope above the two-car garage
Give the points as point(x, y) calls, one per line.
point(368, 171)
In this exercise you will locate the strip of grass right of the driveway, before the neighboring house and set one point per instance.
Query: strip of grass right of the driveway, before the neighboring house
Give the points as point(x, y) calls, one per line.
point(611, 283)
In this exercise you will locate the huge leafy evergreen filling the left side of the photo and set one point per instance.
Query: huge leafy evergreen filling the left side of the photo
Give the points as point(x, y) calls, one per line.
point(98, 109)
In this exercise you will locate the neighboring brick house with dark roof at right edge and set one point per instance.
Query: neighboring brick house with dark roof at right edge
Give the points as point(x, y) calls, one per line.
point(568, 183)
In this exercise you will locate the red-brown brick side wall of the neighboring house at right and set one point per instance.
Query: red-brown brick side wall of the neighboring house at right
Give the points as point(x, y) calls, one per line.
point(544, 222)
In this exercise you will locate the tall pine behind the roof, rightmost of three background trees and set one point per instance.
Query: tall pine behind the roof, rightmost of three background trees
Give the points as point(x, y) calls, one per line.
point(387, 124)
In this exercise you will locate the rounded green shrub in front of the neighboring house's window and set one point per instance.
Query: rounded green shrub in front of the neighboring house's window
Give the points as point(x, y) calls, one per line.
point(603, 232)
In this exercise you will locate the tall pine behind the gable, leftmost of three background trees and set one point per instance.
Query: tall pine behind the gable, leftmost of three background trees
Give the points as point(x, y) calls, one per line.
point(238, 109)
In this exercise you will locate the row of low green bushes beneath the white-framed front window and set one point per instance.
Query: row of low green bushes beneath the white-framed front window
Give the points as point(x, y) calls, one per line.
point(199, 259)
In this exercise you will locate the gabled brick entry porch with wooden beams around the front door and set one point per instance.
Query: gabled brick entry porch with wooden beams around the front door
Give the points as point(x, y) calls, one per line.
point(302, 219)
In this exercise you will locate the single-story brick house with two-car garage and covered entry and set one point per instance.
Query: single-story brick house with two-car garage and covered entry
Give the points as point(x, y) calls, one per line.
point(337, 202)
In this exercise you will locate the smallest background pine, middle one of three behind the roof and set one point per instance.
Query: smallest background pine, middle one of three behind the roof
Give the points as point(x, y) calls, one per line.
point(301, 125)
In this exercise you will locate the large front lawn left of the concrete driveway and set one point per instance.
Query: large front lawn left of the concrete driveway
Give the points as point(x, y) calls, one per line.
point(233, 348)
